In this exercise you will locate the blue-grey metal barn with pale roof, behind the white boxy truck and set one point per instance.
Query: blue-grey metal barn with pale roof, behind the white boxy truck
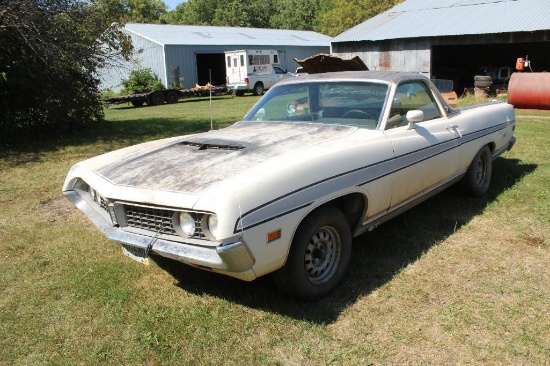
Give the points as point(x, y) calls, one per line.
point(195, 54)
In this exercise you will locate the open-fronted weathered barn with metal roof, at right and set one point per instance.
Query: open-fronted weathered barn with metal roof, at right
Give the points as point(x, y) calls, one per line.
point(453, 39)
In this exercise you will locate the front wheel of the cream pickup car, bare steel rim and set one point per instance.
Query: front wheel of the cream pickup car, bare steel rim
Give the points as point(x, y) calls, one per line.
point(319, 256)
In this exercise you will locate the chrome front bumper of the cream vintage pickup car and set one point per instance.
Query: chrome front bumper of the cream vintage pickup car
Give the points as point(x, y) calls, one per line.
point(232, 259)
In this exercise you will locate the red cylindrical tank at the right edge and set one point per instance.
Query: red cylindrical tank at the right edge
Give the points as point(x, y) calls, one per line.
point(529, 90)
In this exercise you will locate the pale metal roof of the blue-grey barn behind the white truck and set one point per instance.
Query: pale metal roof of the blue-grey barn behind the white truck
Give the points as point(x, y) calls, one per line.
point(205, 35)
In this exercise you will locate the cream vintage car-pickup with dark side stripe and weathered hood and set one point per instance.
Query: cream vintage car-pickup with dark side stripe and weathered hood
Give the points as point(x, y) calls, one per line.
point(318, 160)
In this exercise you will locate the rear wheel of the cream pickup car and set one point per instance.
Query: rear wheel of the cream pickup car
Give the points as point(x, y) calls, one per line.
point(475, 182)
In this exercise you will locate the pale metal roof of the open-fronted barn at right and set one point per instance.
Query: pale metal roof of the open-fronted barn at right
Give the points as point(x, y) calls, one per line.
point(434, 18)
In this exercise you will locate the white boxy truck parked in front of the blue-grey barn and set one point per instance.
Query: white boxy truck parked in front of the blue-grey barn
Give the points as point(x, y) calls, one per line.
point(253, 71)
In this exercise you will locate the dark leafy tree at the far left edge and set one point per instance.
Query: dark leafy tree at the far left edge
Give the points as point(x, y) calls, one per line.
point(50, 51)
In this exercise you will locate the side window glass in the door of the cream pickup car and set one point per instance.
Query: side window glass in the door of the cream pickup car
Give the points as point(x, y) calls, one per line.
point(410, 96)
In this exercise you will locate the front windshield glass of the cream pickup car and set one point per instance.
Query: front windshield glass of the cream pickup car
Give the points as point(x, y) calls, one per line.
point(347, 103)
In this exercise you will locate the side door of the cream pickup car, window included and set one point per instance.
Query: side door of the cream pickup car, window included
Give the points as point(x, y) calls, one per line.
point(425, 152)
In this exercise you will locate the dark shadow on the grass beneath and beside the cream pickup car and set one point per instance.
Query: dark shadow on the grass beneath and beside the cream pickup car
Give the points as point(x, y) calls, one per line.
point(377, 256)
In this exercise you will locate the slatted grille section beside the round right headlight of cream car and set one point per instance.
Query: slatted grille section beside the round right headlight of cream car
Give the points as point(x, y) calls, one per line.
point(158, 221)
